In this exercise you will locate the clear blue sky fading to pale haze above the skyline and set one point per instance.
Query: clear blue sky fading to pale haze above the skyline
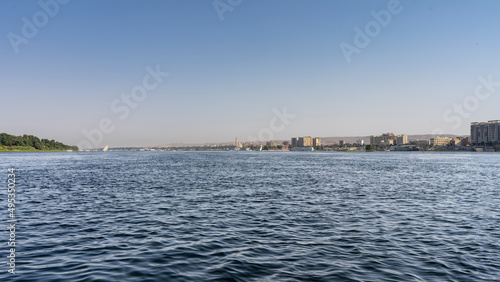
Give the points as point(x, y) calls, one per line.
point(210, 71)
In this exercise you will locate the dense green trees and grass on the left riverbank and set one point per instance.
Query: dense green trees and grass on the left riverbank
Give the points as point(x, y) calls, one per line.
point(30, 143)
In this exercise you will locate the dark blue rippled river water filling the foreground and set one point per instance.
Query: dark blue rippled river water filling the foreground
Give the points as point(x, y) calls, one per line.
point(234, 216)
